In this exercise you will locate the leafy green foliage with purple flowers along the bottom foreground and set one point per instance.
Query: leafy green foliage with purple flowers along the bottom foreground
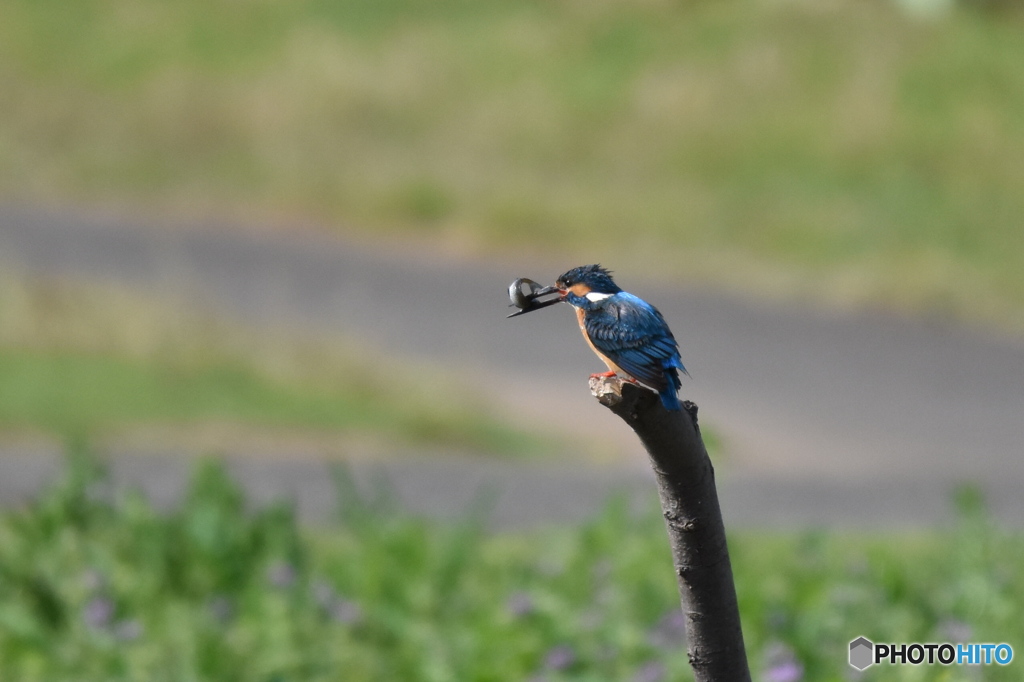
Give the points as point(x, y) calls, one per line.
point(101, 587)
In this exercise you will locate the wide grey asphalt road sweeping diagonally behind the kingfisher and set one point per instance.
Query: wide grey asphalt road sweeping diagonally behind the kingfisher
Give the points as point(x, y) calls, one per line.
point(832, 405)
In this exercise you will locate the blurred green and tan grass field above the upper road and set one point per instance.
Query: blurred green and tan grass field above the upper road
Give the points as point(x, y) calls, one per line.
point(843, 152)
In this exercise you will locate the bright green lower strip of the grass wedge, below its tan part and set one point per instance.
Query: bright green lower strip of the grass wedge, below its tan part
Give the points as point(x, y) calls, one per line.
point(75, 393)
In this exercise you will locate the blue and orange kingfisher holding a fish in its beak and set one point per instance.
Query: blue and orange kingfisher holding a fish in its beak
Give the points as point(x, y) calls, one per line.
point(626, 332)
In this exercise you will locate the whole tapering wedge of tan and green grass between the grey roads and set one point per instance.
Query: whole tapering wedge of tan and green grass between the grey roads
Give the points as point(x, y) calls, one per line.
point(89, 360)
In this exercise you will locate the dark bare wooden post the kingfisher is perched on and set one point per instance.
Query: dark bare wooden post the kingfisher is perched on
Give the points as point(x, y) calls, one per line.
point(693, 517)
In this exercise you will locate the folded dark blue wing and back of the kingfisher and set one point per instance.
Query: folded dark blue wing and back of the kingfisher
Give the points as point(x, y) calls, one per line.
point(633, 334)
